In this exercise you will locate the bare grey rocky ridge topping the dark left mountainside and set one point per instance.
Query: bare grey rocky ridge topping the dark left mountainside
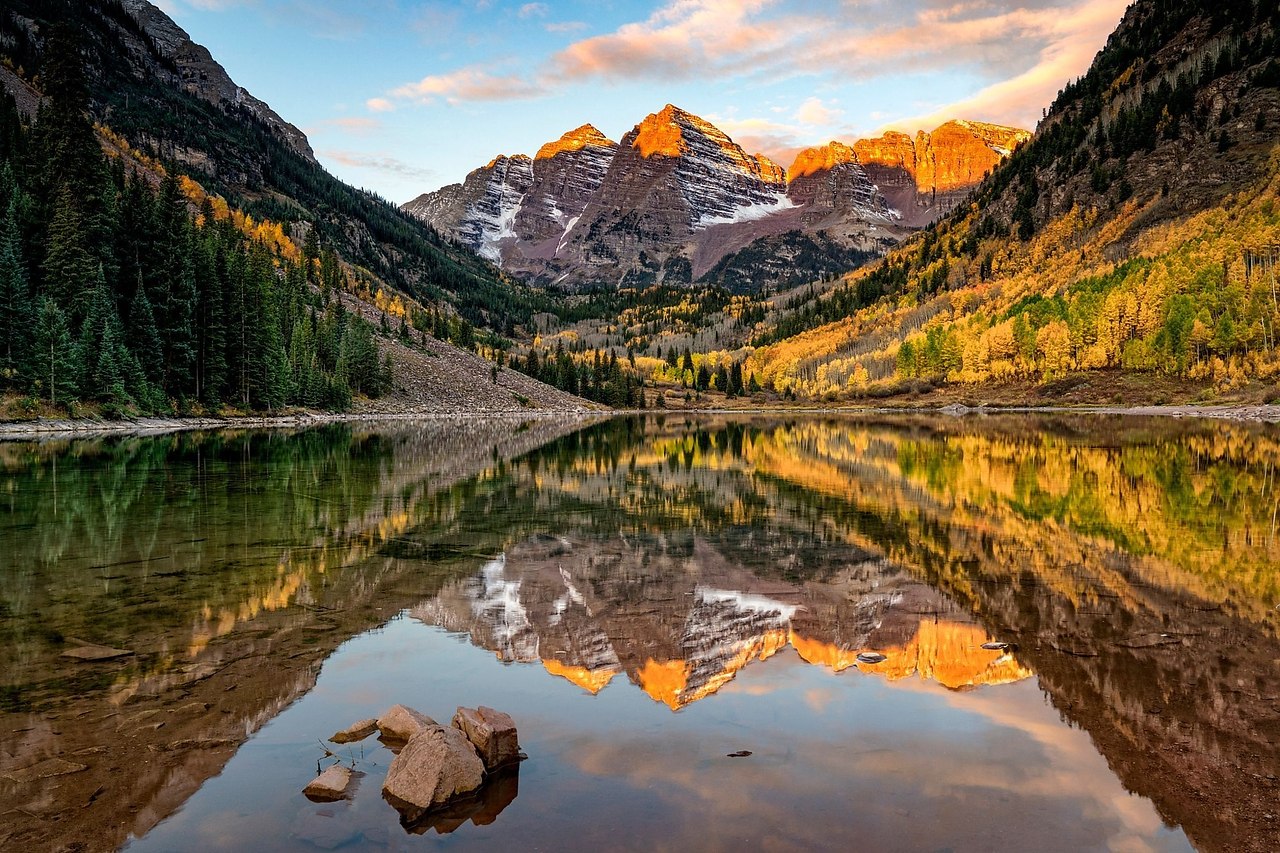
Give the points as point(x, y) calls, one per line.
point(204, 77)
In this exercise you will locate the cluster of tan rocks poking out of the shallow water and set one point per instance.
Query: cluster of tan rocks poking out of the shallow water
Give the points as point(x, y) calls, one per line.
point(435, 765)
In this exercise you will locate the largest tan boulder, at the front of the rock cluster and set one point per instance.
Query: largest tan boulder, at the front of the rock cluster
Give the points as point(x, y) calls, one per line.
point(437, 765)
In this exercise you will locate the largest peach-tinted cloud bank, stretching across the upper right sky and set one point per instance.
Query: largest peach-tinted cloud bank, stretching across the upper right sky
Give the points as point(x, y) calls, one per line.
point(1022, 52)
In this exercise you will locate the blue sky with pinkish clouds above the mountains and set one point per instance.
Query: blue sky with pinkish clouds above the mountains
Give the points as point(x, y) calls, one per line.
point(404, 97)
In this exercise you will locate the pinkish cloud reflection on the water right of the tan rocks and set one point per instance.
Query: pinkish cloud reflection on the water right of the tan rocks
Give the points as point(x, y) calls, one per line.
point(1011, 777)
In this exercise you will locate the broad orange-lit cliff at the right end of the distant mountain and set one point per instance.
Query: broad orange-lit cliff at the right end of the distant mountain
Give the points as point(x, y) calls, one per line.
point(926, 177)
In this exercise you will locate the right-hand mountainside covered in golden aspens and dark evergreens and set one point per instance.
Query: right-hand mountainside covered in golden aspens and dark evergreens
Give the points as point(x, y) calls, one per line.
point(1139, 231)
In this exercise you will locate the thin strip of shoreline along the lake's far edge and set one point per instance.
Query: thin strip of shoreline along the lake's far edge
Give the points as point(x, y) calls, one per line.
point(84, 428)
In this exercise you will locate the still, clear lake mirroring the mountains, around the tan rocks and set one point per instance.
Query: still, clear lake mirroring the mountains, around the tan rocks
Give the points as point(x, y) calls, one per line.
point(931, 633)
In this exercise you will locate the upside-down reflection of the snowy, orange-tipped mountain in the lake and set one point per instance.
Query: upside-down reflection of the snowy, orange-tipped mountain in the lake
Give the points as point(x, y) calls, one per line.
point(683, 627)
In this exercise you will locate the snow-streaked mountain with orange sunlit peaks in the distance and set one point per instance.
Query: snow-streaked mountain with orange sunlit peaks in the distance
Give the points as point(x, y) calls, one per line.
point(679, 202)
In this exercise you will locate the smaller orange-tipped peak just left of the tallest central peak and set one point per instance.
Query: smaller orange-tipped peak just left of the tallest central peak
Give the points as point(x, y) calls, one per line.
point(566, 175)
